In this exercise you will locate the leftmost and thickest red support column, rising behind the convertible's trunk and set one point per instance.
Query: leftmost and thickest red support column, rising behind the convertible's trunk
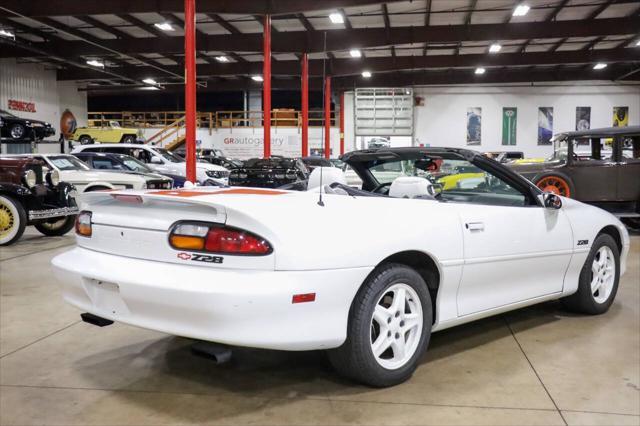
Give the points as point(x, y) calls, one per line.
point(190, 86)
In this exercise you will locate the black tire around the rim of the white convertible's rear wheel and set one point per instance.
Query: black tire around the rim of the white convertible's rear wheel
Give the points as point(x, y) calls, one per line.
point(355, 358)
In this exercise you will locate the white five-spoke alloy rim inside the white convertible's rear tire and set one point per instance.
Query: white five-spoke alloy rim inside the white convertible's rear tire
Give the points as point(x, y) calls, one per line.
point(396, 326)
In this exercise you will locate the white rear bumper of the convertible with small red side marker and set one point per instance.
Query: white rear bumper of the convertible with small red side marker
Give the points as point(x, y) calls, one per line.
point(235, 307)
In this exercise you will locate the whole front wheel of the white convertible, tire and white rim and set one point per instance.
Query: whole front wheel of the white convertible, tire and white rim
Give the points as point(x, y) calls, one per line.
point(598, 282)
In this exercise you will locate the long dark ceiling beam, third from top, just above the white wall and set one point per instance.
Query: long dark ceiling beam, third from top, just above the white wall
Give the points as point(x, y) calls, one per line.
point(349, 66)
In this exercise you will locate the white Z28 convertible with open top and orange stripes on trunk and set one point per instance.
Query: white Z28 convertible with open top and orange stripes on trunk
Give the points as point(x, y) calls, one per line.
point(367, 273)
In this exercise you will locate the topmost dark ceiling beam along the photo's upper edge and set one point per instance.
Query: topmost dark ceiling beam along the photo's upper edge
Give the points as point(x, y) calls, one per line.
point(37, 8)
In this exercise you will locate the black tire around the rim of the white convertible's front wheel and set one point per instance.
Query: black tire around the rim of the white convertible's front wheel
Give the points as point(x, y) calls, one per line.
point(584, 301)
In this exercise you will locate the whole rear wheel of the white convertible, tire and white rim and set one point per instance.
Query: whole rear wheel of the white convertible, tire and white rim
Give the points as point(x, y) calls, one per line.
point(389, 328)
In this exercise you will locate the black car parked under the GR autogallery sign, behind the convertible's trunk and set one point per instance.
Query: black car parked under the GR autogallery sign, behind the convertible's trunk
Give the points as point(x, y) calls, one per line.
point(271, 172)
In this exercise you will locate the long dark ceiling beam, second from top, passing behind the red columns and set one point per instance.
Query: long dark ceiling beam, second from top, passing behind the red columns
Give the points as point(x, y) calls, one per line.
point(302, 41)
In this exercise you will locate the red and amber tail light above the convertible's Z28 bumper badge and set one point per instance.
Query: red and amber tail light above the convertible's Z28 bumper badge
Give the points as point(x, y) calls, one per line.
point(215, 238)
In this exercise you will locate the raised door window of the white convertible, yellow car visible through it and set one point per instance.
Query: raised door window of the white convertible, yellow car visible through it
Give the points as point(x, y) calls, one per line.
point(462, 181)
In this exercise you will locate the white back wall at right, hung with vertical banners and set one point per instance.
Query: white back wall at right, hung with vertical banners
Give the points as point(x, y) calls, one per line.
point(442, 119)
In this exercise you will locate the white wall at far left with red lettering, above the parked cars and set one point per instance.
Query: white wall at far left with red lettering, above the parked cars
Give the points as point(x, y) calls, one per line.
point(34, 83)
